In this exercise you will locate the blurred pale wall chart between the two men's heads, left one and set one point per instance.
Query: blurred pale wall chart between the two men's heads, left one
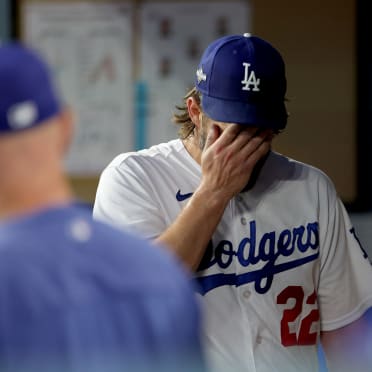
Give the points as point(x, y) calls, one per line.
point(88, 45)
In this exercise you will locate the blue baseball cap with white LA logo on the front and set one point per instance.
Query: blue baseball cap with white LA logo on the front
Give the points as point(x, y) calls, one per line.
point(242, 80)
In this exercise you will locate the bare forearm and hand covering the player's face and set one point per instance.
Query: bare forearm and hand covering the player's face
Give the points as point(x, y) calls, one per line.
point(227, 162)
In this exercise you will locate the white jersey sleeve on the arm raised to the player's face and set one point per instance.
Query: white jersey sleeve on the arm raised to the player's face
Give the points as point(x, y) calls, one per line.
point(125, 198)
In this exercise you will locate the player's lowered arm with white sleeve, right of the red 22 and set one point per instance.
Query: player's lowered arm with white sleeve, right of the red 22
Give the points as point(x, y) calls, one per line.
point(344, 291)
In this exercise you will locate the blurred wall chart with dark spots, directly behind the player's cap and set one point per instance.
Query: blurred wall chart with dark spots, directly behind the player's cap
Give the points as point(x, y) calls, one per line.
point(173, 37)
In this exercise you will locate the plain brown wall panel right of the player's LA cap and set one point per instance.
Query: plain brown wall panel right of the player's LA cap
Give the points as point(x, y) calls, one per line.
point(317, 40)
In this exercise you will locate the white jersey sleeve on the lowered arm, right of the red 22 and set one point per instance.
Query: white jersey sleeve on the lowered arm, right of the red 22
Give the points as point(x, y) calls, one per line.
point(345, 290)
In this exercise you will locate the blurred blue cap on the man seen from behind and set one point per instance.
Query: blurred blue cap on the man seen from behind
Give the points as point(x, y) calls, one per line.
point(27, 94)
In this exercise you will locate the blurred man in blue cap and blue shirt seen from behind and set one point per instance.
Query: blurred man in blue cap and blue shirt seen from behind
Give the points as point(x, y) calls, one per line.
point(75, 294)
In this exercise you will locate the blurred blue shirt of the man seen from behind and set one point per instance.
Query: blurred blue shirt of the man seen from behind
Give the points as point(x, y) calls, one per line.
point(79, 295)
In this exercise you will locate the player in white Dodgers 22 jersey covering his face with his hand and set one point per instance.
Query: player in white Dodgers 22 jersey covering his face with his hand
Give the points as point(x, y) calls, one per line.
point(277, 261)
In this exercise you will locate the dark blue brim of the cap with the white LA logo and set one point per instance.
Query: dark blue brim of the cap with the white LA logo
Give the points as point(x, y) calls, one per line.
point(273, 115)
